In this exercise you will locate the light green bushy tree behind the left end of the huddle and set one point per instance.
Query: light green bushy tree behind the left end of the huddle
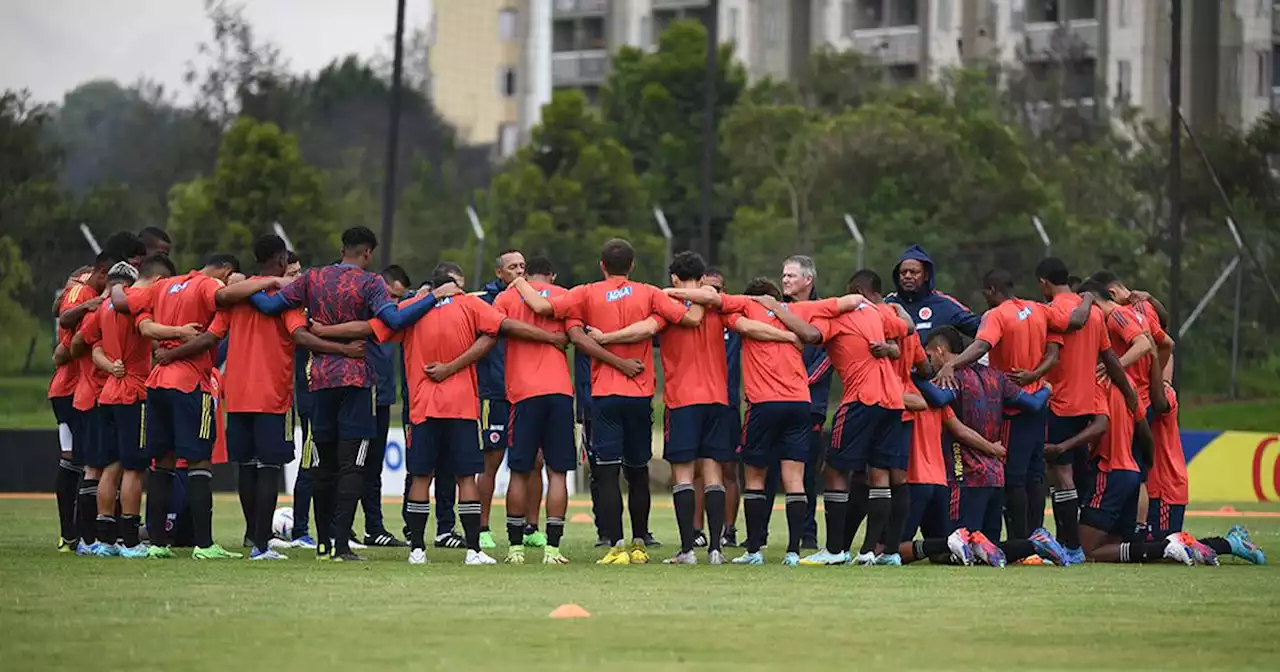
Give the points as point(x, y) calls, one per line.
point(259, 180)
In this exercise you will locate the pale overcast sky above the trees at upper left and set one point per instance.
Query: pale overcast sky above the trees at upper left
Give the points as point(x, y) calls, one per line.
point(51, 47)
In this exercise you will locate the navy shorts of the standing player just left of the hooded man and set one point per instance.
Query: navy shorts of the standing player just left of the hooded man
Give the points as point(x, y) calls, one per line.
point(865, 437)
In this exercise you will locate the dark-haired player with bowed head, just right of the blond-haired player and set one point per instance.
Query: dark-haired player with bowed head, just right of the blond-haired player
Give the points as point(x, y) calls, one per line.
point(126, 355)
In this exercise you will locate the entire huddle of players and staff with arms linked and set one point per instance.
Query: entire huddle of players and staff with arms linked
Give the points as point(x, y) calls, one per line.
point(947, 451)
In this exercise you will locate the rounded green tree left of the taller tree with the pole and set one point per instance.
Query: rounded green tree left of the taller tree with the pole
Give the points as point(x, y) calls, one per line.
point(569, 191)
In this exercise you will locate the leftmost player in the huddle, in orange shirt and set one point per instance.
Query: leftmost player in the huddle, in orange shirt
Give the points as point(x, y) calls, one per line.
point(83, 295)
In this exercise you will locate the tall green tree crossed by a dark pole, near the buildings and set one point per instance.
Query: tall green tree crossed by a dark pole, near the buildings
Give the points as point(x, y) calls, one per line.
point(655, 104)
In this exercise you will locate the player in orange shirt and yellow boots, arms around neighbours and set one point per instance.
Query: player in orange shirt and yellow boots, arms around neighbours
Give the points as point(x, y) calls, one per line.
point(623, 387)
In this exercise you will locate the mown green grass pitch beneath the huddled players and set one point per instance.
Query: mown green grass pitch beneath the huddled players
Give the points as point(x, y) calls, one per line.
point(61, 611)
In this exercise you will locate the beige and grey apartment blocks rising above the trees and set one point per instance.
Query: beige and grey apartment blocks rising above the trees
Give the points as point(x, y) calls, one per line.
point(496, 62)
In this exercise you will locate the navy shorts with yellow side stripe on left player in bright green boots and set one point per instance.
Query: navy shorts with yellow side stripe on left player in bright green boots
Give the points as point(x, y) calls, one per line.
point(181, 423)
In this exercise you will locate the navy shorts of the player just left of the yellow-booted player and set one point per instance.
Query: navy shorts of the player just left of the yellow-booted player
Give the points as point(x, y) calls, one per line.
point(543, 424)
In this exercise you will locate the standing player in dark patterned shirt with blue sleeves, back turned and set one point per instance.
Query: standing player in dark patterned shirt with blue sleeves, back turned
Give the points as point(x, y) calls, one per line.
point(342, 420)
